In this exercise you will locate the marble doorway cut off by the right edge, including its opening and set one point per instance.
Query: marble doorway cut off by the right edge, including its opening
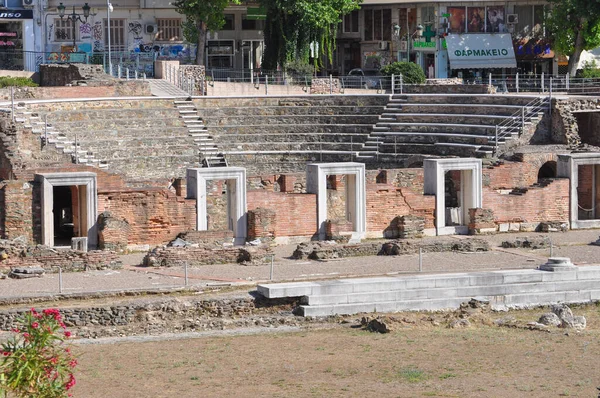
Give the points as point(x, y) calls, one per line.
point(584, 196)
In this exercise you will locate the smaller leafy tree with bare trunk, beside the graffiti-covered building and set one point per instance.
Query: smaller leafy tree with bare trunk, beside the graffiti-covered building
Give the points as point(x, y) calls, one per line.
point(202, 16)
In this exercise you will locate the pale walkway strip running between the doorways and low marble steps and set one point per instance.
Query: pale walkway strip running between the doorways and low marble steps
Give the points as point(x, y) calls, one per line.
point(573, 244)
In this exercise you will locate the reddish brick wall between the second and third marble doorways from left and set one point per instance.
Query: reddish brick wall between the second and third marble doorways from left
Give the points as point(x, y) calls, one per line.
point(296, 213)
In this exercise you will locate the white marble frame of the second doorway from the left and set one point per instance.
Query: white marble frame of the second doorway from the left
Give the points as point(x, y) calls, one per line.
point(235, 178)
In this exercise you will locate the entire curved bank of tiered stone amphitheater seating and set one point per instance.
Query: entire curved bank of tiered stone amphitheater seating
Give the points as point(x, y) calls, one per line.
point(146, 139)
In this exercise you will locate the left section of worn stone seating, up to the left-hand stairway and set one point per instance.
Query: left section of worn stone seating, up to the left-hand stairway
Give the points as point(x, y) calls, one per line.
point(139, 139)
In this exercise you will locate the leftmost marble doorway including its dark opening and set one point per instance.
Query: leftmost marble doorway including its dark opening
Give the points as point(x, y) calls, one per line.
point(68, 207)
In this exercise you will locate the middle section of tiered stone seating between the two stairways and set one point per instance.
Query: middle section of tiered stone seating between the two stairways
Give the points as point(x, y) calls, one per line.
point(273, 133)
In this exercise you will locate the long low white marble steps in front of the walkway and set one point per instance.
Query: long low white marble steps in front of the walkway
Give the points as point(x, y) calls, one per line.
point(504, 289)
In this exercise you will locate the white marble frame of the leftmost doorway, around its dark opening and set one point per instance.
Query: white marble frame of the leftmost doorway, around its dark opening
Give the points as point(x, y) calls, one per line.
point(84, 204)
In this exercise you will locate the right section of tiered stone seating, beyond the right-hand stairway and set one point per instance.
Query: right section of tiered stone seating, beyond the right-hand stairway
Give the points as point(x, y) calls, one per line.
point(458, 125)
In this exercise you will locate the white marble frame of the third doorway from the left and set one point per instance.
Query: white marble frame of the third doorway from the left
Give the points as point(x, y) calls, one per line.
point(356, 202)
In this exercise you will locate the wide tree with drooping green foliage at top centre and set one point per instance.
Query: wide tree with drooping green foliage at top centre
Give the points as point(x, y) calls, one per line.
point(302, 29)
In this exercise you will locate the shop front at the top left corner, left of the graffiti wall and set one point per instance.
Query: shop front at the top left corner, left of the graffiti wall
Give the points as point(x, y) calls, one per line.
point(17, 39)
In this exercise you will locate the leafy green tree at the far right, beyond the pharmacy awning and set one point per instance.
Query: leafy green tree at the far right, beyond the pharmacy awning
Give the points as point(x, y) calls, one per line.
point(574, 27)
